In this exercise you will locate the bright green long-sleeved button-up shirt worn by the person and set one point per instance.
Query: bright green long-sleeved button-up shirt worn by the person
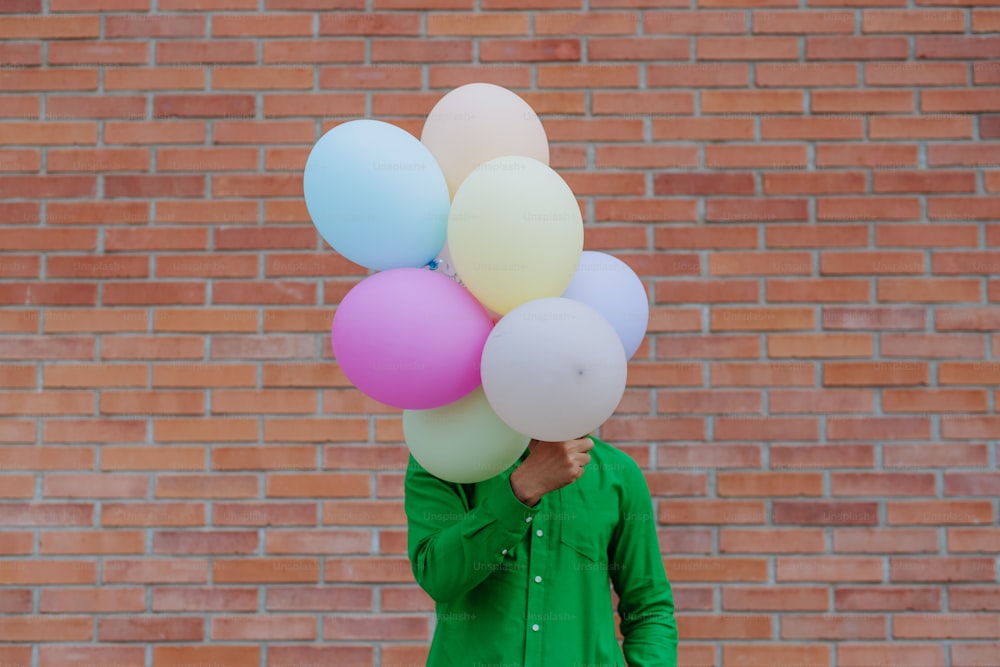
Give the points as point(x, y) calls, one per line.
point(531, 586)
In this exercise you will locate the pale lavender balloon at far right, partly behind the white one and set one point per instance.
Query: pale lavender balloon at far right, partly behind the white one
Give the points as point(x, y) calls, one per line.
point(611, 287)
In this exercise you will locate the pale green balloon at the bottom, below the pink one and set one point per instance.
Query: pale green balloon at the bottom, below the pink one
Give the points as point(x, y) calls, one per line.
point(462, 442)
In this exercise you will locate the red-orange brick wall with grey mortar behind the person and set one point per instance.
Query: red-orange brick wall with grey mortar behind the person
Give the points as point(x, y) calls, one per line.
point(809, 194)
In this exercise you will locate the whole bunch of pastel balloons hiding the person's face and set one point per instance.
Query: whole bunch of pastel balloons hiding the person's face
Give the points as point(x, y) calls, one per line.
point(515, 332)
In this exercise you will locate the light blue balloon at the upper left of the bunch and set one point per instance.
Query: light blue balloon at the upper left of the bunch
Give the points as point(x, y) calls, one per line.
point(377, 195)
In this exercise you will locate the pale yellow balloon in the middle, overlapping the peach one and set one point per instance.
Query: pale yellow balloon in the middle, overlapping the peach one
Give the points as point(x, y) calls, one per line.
point(515, 232)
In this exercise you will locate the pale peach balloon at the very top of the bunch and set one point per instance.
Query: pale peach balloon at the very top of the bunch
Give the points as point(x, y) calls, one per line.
point(477, 122)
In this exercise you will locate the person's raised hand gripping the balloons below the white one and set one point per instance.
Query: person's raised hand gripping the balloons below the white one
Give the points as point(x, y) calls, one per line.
point(549, 466)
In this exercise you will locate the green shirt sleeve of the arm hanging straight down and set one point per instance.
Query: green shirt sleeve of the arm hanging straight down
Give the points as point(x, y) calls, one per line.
point(646, 604)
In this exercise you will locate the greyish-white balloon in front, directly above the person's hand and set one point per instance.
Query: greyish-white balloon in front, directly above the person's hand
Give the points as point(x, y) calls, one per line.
point(554, 369)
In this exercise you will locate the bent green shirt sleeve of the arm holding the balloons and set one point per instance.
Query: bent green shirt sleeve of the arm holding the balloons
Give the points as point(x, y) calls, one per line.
point(453, 548)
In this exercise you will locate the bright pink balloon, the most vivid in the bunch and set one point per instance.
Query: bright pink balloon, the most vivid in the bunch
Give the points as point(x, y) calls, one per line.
point(411, 338)
